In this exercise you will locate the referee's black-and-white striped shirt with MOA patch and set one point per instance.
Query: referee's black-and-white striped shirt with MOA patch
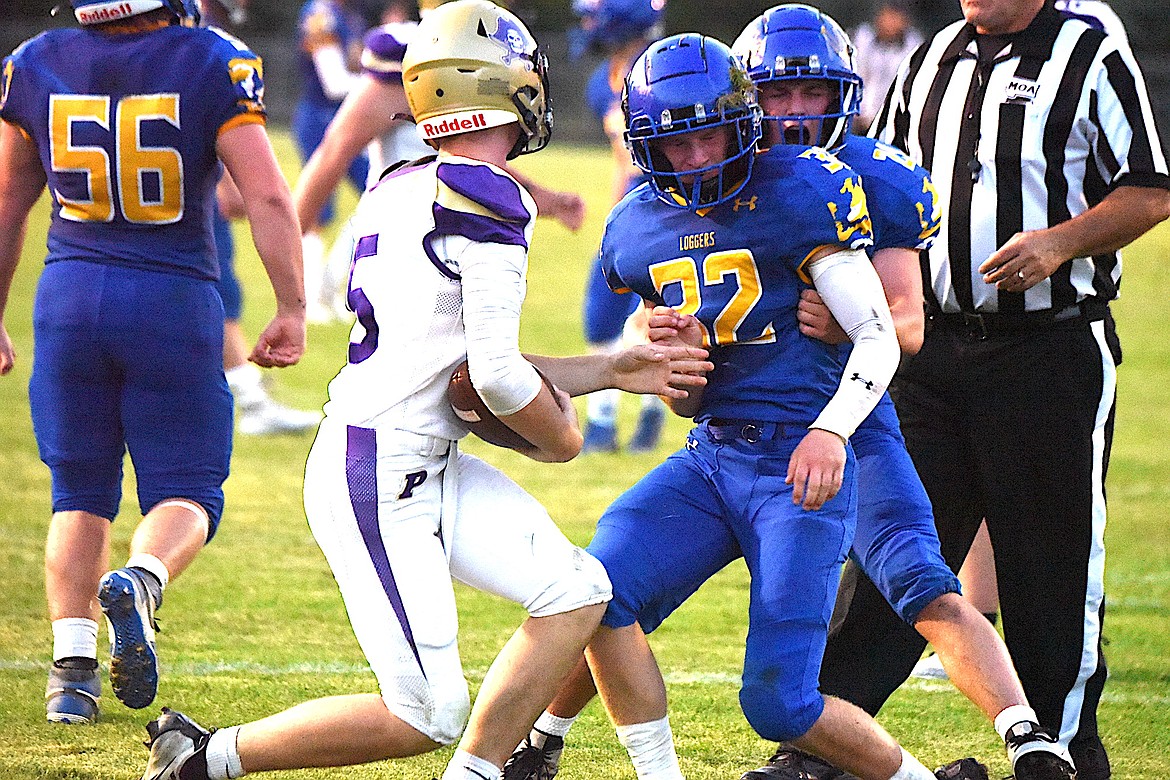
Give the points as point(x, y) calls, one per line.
point(1022, 142)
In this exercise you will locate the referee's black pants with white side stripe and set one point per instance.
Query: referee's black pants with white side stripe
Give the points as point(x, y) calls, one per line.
point(1016, 429)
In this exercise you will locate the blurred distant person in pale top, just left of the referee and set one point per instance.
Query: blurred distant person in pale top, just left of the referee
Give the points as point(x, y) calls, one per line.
point(882, 46)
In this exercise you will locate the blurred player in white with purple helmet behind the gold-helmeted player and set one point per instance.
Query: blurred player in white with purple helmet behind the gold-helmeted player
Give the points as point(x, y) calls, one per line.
point(376, 118)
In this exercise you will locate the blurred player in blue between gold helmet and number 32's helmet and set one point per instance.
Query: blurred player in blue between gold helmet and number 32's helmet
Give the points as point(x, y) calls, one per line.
point(621, 30)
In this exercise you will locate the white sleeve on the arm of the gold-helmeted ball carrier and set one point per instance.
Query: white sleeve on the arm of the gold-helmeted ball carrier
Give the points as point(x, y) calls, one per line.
point(493, 293)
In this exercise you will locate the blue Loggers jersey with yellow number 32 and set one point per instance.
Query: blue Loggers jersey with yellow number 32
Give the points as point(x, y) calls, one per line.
point(739, 268)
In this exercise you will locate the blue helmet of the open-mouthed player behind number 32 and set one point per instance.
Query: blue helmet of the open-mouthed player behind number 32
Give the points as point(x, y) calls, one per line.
point(795, 42)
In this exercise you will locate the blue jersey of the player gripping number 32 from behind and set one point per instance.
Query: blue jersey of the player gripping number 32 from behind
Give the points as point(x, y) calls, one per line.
point(904, 208)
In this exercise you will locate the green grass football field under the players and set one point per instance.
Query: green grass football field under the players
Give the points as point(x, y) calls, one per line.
point(257, 624)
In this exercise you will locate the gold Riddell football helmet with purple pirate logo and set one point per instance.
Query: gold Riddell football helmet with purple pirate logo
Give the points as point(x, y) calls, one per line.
point(473, 65)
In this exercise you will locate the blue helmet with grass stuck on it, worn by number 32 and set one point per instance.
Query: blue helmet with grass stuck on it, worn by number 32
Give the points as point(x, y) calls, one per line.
point(682, 85)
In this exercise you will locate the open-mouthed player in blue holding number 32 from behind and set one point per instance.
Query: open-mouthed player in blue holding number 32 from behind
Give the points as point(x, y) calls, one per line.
point(802, 63)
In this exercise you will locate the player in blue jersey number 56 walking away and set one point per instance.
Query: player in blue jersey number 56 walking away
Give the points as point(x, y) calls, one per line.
point(127, 121)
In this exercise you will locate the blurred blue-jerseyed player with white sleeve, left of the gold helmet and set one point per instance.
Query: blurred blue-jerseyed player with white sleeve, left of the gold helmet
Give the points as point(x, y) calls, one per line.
point(329, 39)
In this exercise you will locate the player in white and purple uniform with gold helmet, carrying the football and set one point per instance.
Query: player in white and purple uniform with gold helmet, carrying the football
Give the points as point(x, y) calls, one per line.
point(438, 278)
